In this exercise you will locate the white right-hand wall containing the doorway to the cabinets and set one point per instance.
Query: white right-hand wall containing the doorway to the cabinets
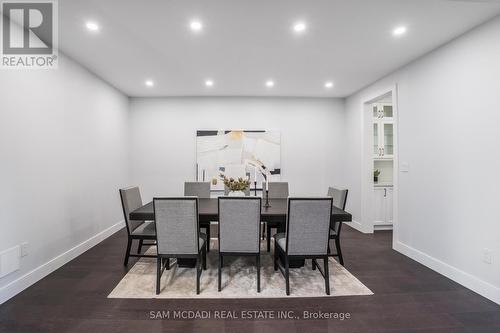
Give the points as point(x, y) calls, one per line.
point(449, 133)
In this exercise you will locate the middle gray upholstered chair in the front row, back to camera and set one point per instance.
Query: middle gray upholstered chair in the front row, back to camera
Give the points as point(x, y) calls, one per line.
point(239, 230)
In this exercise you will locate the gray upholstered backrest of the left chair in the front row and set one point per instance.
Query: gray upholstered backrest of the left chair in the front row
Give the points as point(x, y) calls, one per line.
point(177, 228)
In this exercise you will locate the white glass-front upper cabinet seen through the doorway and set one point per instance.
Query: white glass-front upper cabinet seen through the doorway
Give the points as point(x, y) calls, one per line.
point(383, 131)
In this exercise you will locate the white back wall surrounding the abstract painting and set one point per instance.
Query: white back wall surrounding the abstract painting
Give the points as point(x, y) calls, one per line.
point(163, 133)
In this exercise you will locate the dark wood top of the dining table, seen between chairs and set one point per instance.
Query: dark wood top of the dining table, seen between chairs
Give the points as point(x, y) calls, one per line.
point(208, 210)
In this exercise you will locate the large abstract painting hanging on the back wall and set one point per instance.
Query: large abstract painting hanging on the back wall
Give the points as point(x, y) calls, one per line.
point(253, 154)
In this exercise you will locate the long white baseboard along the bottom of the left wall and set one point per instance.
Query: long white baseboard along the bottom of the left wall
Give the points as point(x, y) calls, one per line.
point(23, 282)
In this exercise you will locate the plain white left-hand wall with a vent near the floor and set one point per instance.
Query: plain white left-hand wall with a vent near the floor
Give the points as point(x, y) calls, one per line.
point(63, 153)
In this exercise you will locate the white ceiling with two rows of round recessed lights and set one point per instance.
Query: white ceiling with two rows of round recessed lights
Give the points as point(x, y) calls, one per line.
point(246, 42)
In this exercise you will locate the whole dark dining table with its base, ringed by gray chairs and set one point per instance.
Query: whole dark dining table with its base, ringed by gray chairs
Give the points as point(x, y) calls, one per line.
point(208, 212)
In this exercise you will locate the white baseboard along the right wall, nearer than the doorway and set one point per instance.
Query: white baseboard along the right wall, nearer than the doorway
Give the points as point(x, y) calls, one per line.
point(465, 279)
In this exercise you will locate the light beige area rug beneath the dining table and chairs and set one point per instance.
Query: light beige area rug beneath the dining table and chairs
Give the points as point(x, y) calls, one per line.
point(239, 279)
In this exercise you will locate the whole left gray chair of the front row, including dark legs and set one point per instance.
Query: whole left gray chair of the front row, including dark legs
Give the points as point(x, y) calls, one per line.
point(178, 234)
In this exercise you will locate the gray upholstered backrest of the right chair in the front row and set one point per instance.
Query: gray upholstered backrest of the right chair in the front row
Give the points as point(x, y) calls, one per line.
point(308, 225)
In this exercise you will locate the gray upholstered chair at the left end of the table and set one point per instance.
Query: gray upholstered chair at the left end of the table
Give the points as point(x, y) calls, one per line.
point(136, 230)
